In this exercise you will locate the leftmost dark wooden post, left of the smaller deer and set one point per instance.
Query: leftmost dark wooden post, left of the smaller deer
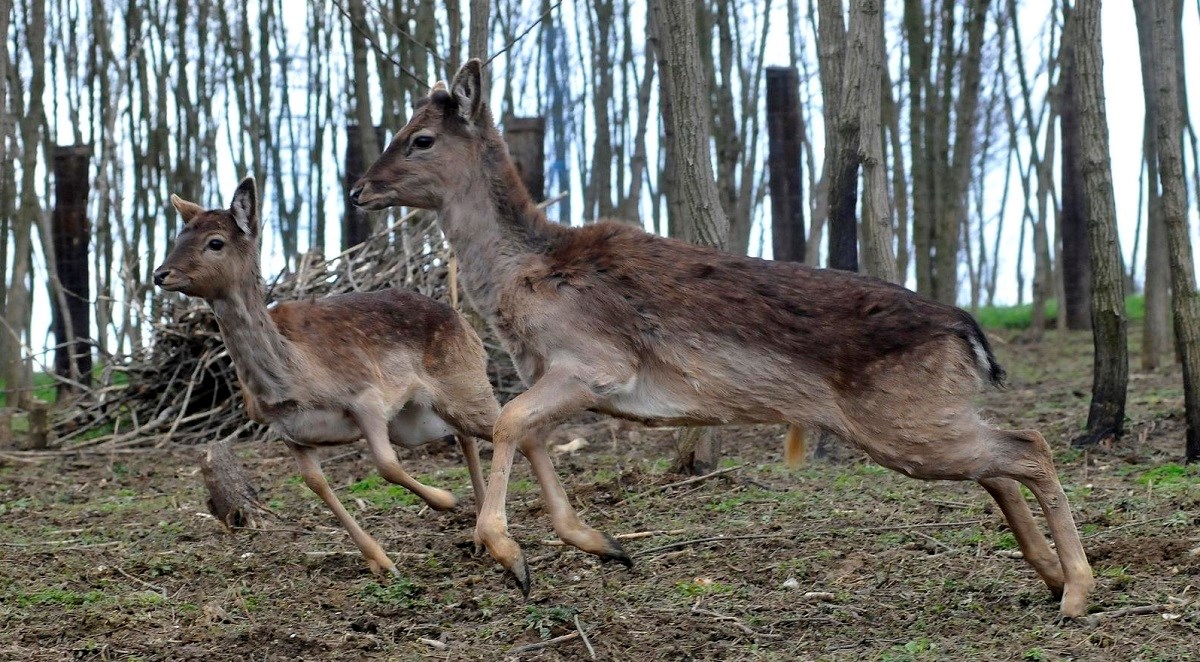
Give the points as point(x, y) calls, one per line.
point(70, 231)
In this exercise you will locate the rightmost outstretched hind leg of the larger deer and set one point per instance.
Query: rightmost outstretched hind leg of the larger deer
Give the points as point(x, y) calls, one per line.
point(1025, 456)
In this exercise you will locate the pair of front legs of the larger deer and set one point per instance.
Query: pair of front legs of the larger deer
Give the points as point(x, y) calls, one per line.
point(521, 425)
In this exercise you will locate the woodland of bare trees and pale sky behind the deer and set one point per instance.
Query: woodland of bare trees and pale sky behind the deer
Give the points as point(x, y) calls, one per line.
point(979, 128)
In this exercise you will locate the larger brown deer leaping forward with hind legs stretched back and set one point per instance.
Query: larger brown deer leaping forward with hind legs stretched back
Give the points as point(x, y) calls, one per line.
point(614, 320)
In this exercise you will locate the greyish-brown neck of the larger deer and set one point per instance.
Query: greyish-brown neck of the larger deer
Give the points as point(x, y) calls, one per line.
point(493, 226)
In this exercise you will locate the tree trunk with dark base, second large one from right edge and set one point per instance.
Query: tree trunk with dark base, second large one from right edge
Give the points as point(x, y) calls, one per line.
point(1106, 418)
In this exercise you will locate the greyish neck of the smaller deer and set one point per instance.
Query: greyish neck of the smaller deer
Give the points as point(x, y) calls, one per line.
point(260, 353)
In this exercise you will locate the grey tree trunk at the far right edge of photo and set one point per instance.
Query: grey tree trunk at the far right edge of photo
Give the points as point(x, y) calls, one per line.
point(1185, 300)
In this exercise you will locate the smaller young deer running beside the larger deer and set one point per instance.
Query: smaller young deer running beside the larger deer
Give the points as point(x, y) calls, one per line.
point(392, 366)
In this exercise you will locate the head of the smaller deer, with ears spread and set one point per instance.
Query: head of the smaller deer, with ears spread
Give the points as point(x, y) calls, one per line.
point(218, 250)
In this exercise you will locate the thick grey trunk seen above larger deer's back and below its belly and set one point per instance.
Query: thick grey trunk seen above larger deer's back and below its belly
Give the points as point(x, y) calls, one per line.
point(691, 188)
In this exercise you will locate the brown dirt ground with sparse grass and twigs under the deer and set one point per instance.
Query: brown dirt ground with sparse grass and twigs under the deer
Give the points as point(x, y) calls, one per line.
point(113, 557)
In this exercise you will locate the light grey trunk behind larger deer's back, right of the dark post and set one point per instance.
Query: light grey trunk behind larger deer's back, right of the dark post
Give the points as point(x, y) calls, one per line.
point(865, 88)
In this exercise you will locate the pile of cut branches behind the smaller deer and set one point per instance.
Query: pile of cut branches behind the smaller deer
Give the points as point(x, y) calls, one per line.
point(183, 388)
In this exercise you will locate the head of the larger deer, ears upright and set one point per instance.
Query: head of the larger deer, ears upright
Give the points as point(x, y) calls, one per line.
point(441, 145)
